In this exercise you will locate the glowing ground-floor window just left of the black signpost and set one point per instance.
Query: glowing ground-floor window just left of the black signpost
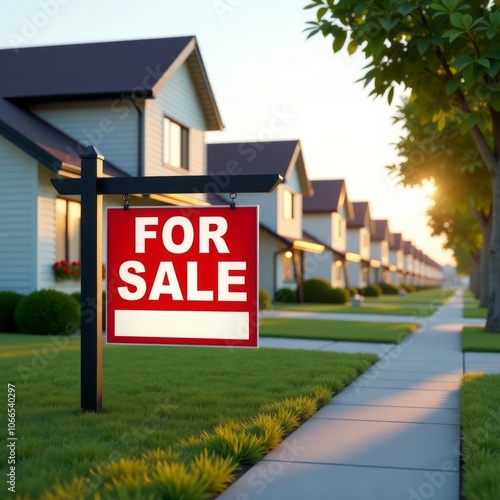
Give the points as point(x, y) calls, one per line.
point(68, 216)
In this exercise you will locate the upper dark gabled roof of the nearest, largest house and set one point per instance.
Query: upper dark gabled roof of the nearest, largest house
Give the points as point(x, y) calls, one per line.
point(104, 70)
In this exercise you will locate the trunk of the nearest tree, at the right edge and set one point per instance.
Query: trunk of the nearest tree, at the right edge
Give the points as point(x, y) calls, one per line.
point(493, 319)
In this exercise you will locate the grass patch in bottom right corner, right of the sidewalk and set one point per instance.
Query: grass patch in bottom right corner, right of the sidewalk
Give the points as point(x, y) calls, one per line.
point(480, 428)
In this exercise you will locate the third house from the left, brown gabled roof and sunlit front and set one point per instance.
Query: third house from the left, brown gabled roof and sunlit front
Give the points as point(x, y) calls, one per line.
point(326, 215)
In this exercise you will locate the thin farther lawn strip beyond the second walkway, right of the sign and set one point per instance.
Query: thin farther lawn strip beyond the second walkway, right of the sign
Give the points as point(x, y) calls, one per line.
point(372, 308)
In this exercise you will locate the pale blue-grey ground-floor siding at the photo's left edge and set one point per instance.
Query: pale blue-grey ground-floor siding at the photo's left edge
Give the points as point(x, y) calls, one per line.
point(18, 209)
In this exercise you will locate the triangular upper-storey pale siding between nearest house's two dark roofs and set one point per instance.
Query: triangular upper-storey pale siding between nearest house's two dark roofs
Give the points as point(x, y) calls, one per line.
point(111, 126)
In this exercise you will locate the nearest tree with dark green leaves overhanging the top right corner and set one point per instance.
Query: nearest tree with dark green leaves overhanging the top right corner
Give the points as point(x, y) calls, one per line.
point(447, 54)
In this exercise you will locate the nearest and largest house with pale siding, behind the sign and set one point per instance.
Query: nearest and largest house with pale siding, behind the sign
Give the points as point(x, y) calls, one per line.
point(145, 104)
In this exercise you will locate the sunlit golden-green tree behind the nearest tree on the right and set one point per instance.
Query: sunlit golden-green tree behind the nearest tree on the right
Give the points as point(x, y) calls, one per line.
point(452, 162)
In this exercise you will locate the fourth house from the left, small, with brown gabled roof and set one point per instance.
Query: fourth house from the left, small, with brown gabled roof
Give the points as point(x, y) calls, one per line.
point(359, 230)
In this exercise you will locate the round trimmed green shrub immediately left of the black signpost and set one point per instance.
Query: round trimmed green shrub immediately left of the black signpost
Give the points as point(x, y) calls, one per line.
point(47, 312)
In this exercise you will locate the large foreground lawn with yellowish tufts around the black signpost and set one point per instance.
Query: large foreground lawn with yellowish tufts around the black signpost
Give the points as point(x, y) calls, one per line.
point(162, 407)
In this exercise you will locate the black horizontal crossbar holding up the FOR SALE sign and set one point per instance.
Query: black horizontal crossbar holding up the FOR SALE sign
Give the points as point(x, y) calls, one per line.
point(264, 183)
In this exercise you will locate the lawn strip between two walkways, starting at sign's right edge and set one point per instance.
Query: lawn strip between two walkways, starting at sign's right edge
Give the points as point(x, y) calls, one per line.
point(362, 331)
